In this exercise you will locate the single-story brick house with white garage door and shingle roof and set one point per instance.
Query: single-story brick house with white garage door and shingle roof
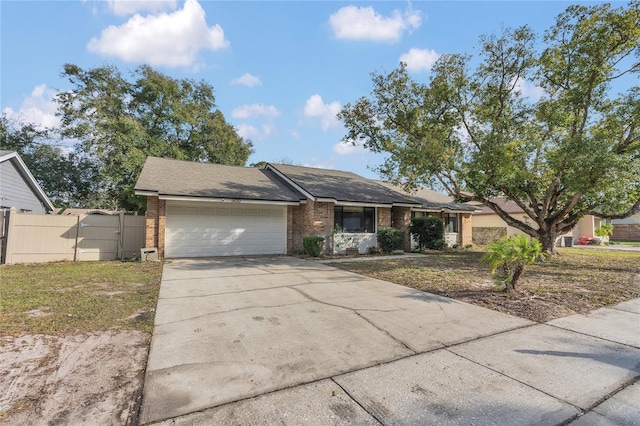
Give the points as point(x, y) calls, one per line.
point(197, 210)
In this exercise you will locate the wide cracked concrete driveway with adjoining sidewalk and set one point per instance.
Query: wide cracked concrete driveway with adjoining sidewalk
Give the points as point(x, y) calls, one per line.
point(264, 340)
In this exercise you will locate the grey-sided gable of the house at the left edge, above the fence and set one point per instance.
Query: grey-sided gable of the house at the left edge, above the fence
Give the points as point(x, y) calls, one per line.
point(18, 187)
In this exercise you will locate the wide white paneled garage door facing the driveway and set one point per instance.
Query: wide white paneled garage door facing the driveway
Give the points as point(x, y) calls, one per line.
point(221, 229)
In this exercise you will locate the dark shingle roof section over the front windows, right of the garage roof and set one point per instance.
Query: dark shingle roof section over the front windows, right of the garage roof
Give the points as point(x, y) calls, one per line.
point(338, 186)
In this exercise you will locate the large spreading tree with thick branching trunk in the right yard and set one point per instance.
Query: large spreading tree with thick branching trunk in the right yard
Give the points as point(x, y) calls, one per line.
point(473, 132)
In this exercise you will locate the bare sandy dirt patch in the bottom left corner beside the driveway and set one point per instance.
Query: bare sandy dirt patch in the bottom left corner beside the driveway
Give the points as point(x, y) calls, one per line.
point(93, 378)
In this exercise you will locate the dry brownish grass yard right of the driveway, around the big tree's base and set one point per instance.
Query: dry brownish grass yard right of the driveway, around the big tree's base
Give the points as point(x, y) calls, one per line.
point(576, 281)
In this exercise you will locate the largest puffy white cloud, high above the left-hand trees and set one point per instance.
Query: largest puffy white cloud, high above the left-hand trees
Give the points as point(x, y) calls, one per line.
point(172, 39)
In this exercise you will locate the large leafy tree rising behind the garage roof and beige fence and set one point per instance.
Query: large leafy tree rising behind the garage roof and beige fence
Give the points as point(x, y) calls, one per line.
point(120, 122)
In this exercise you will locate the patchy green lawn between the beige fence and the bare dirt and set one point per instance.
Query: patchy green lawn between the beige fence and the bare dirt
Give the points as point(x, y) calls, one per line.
point(66, 297)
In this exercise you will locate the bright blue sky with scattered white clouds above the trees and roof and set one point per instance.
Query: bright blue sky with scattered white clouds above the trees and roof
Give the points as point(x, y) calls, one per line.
point(280, 70)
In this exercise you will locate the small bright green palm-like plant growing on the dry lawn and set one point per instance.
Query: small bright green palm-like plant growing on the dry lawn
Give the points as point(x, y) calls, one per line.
point(508, 257)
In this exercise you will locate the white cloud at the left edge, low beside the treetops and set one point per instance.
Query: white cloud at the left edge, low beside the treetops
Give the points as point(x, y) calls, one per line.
point(39, 109)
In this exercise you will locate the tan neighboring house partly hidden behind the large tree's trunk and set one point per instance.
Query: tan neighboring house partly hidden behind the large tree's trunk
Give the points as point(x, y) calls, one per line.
point(488, 226)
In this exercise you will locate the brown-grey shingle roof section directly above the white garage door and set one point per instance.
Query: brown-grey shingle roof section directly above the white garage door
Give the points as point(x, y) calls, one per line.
point(179, 179)
